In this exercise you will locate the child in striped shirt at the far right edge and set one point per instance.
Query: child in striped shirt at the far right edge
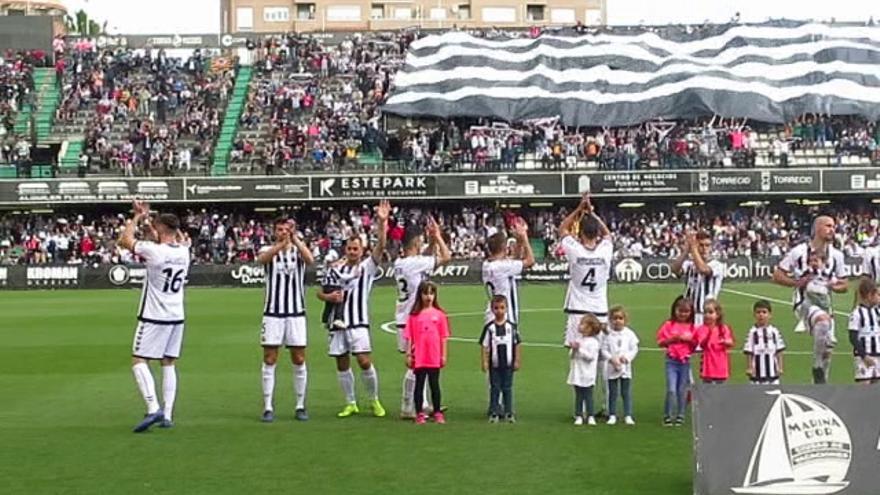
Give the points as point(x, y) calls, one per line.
point(864, 332)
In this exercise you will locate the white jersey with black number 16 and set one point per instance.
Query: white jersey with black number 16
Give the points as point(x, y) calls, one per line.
point(167, 268)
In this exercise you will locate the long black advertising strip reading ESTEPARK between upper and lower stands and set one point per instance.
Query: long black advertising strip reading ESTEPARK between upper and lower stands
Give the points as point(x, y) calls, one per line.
point(508, 185)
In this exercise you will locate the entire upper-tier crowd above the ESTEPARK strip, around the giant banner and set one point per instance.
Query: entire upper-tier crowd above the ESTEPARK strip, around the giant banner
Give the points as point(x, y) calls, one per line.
point(315, 106)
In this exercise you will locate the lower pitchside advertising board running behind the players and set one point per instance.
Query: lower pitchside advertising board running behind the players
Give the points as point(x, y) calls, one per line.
point(626, 270)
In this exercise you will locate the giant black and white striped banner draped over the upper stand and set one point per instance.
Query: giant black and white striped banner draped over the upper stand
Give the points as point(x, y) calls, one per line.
point(767, 73)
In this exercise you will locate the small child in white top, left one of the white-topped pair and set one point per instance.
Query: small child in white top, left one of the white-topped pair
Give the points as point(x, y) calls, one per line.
point(583, 367)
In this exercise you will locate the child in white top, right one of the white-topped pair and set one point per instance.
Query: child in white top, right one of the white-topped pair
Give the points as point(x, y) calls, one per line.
point(620, 347)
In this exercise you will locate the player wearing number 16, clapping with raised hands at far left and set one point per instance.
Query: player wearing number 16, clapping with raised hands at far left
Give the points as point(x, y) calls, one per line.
point(159, 333)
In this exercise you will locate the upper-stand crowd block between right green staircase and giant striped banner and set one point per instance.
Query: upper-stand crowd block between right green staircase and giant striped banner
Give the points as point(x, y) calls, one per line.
point(320, 102)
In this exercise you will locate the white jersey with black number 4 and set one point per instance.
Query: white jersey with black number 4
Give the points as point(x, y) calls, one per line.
point(589, 270)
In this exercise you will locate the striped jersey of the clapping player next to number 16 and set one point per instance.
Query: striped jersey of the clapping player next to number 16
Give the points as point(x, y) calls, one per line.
point(285, 285)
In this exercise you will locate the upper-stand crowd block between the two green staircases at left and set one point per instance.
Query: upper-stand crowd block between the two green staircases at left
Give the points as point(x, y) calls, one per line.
point(142, 105)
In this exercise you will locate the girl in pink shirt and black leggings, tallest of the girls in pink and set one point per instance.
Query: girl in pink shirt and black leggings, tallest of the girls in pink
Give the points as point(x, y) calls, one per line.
point(427, 330)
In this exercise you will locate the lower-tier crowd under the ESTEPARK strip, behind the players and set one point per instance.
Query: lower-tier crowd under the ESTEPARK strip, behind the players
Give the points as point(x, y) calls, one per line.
point(236, 236)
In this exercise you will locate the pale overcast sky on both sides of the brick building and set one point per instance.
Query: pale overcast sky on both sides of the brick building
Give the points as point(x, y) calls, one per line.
point(203, 16)
